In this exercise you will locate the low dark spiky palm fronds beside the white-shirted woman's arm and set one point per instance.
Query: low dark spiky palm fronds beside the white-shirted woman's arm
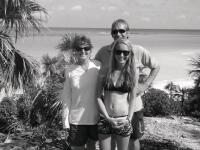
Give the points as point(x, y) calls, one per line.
point(47, 105)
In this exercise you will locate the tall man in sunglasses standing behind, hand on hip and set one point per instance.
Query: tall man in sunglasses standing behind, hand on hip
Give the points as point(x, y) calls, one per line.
point(143, 59)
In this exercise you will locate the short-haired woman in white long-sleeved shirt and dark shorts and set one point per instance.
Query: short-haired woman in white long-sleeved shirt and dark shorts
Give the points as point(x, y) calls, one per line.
point(80, 112)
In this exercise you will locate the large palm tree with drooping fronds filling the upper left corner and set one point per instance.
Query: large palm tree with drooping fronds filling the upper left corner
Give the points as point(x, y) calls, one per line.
point(16, 18)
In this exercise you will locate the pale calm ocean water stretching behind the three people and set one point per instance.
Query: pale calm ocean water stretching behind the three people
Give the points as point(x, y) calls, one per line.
point(173, 49)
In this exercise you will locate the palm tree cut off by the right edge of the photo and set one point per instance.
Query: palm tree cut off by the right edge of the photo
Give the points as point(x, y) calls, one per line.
point(195, 72)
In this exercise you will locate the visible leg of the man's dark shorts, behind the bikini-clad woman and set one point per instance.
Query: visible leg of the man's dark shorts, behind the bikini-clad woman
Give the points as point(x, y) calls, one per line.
point(138, 125)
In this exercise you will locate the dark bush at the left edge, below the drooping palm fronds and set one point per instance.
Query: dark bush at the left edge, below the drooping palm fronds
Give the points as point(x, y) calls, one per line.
point(8, 114)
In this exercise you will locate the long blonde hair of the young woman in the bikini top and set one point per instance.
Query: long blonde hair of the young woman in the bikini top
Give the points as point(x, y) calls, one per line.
point(129, 70)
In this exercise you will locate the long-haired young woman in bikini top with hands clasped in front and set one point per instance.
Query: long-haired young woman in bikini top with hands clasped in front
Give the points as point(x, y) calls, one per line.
point(117, 83)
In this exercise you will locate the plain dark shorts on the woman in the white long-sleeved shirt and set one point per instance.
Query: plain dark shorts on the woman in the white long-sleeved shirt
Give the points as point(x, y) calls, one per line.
point(79, 134)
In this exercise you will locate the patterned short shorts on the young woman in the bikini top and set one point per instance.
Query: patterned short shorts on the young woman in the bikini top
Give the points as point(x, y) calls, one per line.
point(104, 127)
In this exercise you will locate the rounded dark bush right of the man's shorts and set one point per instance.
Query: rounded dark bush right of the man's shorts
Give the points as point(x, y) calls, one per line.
point(157, 103)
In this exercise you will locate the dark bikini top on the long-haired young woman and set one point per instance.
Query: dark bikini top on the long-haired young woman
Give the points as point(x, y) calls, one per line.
point(124, 87)
